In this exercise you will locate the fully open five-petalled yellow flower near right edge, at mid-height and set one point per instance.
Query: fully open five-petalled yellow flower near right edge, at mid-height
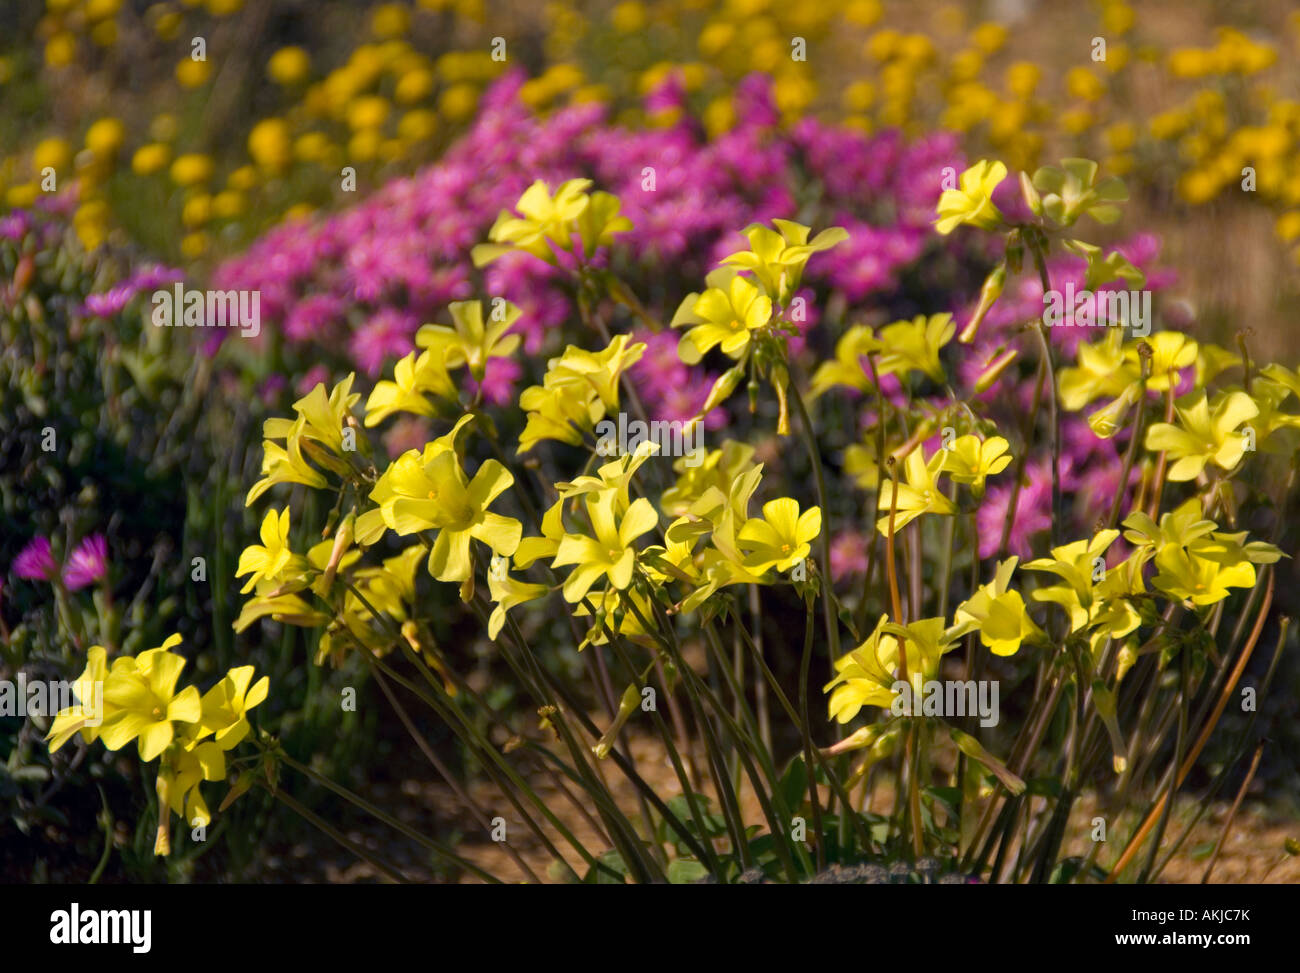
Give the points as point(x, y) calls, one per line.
point(1204, 435)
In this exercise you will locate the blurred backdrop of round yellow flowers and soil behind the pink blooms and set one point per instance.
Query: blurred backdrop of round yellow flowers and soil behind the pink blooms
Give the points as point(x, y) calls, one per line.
point(194, 158)
